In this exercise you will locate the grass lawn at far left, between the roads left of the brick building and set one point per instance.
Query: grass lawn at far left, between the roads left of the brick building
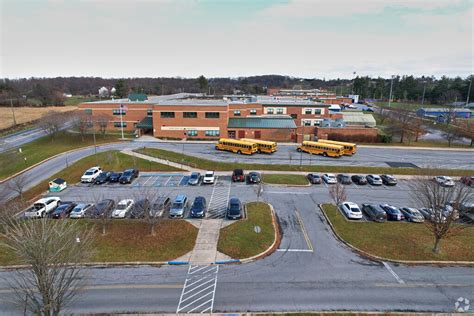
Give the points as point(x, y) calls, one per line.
point(13, 161)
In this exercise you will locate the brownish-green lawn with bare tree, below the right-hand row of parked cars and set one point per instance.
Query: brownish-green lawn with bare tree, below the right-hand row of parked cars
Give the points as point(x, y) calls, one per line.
point(401, 240)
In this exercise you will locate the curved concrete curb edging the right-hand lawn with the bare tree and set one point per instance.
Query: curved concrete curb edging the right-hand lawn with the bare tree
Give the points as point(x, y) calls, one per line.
point(380, 259)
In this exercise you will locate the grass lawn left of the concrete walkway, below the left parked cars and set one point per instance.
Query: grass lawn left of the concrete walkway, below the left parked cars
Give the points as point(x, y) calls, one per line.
point(130, 240)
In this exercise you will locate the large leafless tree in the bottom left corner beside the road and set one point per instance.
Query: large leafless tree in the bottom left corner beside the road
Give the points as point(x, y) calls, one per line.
point(53, 252)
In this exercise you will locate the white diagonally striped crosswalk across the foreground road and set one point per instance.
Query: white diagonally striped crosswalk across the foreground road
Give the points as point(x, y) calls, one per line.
point(199, 290)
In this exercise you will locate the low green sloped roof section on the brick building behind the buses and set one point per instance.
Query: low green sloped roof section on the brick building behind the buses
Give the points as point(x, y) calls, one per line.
point(262, 122)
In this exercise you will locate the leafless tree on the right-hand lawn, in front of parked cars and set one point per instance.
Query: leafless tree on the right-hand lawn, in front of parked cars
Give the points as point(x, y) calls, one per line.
point(443, 203)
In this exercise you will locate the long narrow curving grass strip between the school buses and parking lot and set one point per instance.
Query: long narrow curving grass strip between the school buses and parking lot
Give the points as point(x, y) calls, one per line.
point(225, 166)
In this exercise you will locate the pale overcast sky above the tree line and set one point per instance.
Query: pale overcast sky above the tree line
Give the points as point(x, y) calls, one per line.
point(229, 38)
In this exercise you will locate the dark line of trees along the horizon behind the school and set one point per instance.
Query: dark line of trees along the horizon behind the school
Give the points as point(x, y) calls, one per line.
point(50, 91)
